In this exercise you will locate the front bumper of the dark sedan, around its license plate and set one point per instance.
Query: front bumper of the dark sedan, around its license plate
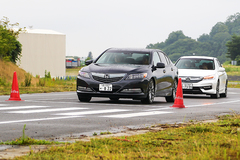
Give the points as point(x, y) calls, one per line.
point(135, 89)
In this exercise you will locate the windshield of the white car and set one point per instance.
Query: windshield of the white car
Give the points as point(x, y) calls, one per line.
point(194, 63)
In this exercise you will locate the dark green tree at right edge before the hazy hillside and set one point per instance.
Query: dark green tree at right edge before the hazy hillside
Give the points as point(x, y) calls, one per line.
point(233, 47)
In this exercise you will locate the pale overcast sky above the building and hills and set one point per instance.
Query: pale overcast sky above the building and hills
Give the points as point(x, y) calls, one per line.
point(95, 25)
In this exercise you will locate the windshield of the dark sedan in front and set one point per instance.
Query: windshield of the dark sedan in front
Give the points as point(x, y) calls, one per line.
point(124, 57)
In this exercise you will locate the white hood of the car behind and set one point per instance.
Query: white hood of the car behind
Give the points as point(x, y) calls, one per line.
point(195, 72)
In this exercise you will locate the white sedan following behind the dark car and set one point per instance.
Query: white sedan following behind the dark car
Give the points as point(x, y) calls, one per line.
point(202, 75)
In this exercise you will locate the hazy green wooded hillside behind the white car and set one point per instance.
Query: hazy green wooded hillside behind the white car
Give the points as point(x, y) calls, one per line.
point(212, 44)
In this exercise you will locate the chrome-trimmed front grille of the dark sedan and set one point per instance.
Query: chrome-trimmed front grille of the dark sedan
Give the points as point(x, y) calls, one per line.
point(107, 78)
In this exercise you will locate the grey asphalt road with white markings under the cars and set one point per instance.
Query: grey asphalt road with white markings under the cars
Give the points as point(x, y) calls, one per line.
point(58, 115)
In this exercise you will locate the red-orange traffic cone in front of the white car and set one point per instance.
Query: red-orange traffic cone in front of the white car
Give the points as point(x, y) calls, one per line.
point(178, 103)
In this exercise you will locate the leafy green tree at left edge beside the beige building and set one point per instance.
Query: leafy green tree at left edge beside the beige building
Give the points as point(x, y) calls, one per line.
point(10, 47)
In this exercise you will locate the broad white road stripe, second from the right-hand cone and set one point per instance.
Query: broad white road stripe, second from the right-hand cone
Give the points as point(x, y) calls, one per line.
point(91, 112)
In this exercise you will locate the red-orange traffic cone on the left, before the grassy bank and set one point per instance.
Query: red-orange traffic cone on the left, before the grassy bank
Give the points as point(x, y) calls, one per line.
point(15, 90)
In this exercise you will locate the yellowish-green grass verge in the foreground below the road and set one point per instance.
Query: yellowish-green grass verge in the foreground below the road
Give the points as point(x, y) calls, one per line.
point(220, 140)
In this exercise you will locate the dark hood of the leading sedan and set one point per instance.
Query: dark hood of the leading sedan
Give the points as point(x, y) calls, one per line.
point(113, 68)
